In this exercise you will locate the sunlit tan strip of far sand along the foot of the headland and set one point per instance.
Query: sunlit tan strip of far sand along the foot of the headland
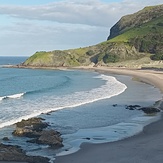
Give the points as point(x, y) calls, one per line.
point(145, 75)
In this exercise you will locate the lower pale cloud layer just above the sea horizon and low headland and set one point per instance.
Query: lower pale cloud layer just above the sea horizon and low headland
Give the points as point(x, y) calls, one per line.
point(25, 38)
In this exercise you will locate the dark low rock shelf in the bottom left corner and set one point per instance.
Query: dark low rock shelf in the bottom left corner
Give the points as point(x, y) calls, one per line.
point(15, 153)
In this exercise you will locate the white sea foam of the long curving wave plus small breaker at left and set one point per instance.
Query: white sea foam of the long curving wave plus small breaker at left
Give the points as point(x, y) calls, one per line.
point(45, 104)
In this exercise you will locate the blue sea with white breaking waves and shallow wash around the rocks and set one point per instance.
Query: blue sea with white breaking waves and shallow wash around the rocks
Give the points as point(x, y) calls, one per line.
point(80, 105)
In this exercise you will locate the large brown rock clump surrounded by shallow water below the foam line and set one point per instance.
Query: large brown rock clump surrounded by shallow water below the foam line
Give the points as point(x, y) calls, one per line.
point(35, 128)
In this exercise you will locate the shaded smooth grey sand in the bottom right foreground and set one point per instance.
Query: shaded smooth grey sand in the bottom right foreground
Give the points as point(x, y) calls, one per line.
point(146, 147)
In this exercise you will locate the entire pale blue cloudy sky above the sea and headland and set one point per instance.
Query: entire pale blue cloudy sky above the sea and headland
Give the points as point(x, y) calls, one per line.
point(27, 26)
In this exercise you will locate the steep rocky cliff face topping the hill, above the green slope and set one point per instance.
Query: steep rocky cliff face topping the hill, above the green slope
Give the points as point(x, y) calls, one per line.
point(135, 20)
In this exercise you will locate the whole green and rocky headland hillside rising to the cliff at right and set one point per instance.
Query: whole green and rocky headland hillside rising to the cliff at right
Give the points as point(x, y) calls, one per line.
point(137, 37)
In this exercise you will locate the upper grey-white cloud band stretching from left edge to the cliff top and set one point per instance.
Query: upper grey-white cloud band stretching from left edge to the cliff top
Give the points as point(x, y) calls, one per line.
point(94, 13)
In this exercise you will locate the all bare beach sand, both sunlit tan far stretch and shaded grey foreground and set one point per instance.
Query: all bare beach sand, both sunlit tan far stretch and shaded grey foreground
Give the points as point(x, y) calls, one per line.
point(145, 147)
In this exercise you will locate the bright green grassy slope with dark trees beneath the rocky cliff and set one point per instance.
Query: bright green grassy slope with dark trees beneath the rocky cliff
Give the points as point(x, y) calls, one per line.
point(147, 38)
